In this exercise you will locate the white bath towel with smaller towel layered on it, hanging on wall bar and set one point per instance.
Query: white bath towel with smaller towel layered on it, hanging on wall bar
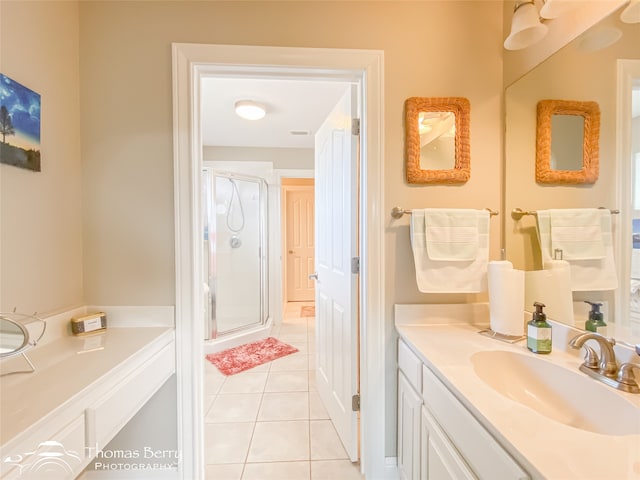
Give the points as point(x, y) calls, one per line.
point(440, 266)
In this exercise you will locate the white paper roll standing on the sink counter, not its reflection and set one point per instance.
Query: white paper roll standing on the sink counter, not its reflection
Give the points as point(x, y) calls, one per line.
point(506, 298)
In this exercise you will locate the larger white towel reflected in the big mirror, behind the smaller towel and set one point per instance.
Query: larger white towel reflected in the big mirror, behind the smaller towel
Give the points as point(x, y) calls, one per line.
point(587, 274)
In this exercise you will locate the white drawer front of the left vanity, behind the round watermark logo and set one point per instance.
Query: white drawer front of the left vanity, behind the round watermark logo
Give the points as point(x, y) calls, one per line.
point(62, 456)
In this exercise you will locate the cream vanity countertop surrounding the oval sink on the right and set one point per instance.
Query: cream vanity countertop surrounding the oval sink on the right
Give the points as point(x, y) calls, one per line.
point(544, 447)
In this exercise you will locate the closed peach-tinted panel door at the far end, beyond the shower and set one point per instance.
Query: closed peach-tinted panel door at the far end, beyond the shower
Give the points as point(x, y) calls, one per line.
point(299, 243)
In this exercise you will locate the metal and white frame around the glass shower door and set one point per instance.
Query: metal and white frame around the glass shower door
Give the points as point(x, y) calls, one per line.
point(209, 207)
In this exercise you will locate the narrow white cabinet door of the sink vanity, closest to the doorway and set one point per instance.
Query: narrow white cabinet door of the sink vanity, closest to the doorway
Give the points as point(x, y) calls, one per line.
point(409, 405)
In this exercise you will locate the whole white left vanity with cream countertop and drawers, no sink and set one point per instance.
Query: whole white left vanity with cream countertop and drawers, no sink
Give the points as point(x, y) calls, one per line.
point(83, 391)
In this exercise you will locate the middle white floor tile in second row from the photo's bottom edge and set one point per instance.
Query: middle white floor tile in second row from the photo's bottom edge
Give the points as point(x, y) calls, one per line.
point(279, 441)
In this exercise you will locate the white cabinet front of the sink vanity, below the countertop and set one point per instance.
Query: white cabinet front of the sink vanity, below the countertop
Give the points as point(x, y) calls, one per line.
point(438, 438)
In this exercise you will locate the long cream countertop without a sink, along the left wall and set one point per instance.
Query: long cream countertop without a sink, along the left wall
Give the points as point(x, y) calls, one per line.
point(67, 368)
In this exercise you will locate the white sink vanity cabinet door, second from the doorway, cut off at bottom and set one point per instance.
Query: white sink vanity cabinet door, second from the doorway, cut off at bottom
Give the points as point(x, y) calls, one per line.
point(439, 460)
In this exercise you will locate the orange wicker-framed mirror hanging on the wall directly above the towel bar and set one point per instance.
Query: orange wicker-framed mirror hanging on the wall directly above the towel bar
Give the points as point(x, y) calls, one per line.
point(437, 140)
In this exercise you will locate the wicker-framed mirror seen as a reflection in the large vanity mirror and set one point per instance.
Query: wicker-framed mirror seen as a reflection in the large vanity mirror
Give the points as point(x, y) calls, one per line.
point(567, 142)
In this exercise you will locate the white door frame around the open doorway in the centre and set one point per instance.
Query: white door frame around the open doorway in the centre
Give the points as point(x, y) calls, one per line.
point(190, 63)
